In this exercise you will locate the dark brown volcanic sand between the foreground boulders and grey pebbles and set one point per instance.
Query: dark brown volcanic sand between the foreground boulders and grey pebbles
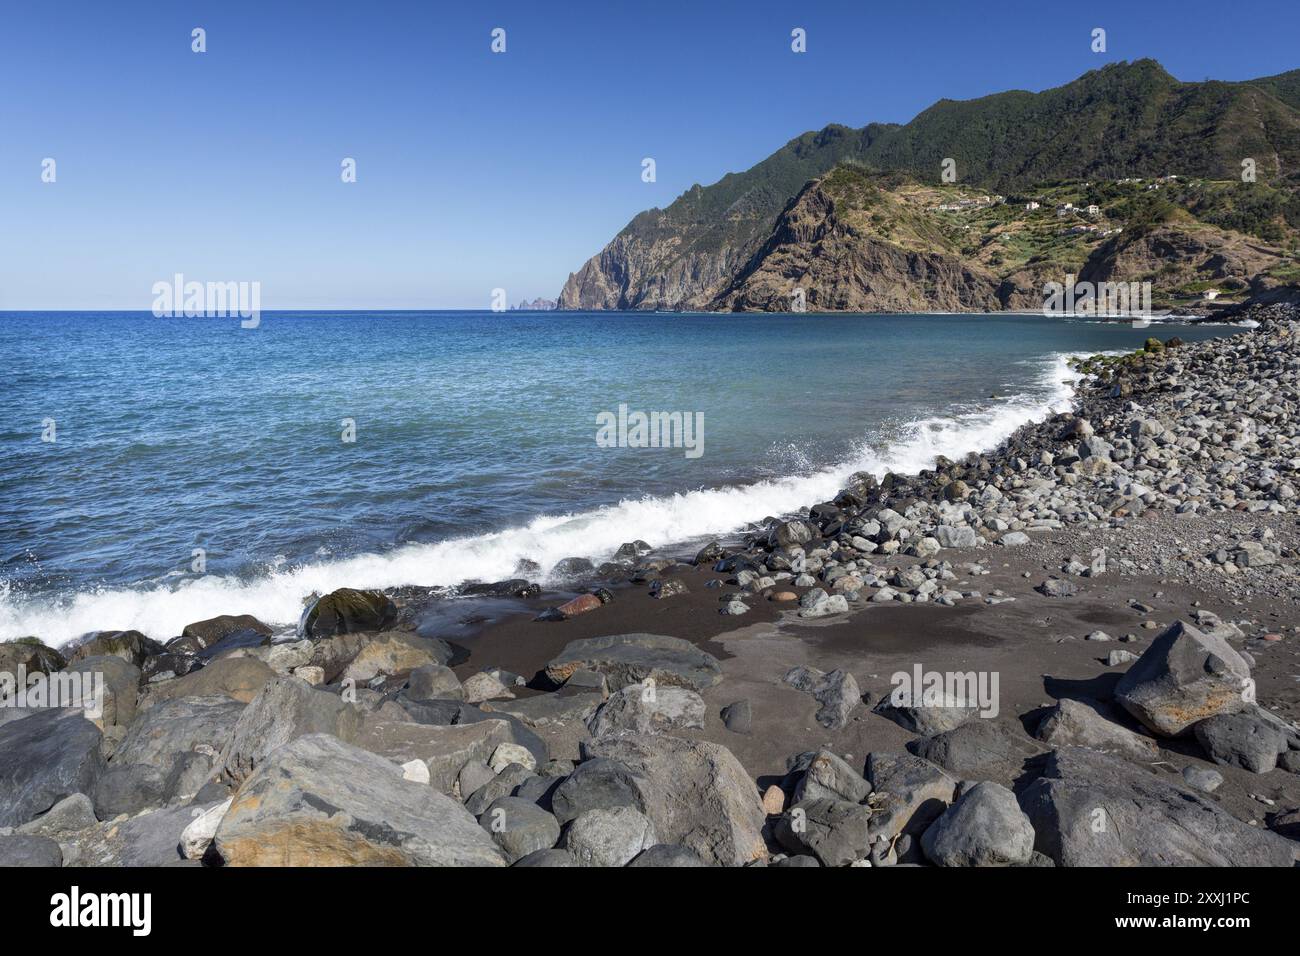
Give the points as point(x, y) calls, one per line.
point(1035, 644)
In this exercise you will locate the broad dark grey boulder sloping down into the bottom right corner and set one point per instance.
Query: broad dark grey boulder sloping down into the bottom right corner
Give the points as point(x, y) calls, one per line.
point(1093, 810)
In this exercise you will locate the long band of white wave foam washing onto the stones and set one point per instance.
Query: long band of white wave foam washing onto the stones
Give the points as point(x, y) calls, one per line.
point(163, 611)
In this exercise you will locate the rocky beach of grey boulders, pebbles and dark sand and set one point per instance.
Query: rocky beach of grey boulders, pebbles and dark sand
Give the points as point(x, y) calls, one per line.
point(1080, 650)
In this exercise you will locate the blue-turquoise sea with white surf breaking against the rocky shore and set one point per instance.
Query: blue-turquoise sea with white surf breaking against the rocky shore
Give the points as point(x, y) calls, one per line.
point(475, 442)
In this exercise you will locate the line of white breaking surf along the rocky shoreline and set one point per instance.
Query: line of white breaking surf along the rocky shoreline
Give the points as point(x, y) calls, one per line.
point(84, 612)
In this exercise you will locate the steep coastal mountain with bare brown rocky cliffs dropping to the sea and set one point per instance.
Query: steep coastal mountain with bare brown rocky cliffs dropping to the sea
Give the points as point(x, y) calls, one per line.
point(749, 241)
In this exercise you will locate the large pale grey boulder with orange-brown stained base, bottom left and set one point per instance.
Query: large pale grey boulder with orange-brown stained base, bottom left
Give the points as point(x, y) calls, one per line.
point(318, 802)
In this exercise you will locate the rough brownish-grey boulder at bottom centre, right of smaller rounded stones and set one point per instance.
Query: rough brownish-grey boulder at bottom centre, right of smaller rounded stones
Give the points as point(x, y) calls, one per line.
point(696, 794)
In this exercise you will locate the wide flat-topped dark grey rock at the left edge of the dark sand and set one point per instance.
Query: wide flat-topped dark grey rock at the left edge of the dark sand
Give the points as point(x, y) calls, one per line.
point(630, 659)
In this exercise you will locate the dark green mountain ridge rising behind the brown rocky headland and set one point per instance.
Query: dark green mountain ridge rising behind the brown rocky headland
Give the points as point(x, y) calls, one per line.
point(1123, 122)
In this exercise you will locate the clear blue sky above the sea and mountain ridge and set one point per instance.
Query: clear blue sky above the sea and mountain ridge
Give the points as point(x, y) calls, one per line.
point(475, 171)
